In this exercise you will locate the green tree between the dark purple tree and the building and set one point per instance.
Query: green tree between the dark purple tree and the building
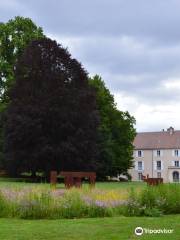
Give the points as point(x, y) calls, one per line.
point(116, 133)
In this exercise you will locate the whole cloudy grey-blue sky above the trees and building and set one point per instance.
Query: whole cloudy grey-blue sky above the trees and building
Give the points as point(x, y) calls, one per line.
point(134, 45)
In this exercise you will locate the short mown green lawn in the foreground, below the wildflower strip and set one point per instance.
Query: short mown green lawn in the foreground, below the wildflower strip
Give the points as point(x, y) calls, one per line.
point(117, 228)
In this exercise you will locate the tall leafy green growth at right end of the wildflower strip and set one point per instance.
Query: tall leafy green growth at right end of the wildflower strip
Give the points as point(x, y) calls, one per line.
point(154, 201)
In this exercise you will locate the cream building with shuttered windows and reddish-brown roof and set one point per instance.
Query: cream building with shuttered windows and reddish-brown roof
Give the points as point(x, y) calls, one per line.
point(158, 155)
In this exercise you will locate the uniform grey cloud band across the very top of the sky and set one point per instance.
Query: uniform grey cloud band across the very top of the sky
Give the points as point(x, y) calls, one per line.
point(157, 19)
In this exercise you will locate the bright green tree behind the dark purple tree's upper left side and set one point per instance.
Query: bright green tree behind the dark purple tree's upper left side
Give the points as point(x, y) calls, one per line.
point(15, 35)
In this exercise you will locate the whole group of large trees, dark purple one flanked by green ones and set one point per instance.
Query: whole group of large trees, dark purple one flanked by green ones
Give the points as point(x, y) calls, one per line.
point(53, 116)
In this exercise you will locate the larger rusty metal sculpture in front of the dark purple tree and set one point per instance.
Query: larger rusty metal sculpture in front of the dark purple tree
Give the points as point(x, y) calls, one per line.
point(73, 179)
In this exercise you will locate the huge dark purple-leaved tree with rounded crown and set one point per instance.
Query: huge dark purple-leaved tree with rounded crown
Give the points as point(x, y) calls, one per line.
point(52, 119)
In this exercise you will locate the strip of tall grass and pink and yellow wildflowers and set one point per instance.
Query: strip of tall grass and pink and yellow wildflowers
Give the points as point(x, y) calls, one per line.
point(36, 202)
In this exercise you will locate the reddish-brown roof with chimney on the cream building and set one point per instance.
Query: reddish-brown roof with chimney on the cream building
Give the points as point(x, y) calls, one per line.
point(169, 139)
